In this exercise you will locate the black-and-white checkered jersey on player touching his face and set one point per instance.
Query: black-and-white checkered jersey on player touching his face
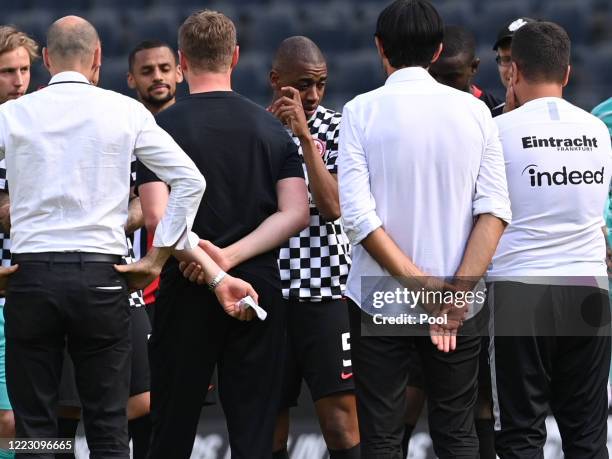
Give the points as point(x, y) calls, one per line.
point(314, 265)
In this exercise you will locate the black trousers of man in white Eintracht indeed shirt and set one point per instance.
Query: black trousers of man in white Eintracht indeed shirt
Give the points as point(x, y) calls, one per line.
point(538, 373)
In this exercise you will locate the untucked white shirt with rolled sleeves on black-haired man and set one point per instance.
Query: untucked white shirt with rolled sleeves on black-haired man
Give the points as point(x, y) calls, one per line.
point(421, 160)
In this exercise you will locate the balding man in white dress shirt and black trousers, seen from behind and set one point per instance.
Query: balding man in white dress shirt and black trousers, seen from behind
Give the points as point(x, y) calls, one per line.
point(68, 238)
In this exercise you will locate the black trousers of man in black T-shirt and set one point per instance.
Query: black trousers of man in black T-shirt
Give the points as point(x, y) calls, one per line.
point(191, 335)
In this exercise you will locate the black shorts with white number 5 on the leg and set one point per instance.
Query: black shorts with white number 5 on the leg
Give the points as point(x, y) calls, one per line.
point(318, 350)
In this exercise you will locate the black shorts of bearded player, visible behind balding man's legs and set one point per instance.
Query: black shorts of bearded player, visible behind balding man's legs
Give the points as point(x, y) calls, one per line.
point(140, 379)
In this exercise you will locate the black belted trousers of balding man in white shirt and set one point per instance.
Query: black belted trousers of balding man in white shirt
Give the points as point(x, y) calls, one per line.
point(84, 306)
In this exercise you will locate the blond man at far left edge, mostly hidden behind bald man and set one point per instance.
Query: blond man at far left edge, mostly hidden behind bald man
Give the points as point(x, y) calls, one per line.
point(17, 52)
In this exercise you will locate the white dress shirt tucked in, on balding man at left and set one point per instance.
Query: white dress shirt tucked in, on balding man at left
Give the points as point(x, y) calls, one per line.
point(68, 149)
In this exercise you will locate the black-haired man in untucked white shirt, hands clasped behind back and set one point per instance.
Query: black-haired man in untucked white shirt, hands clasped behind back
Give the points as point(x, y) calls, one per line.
point(423, 193)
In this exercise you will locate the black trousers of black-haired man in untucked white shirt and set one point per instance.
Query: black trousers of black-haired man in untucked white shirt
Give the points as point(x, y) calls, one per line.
point(381, 371)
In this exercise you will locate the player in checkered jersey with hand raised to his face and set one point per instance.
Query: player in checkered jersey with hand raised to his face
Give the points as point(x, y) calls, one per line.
point(314, 264)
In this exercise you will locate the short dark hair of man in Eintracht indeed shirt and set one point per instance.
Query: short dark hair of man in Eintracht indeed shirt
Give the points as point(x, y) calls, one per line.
point(541, 51)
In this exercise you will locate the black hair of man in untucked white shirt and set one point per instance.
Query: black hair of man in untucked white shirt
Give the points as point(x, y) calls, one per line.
point(410, 32)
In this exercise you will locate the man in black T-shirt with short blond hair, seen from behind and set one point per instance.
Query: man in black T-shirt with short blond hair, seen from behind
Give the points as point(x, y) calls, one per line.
point(256, 200)
